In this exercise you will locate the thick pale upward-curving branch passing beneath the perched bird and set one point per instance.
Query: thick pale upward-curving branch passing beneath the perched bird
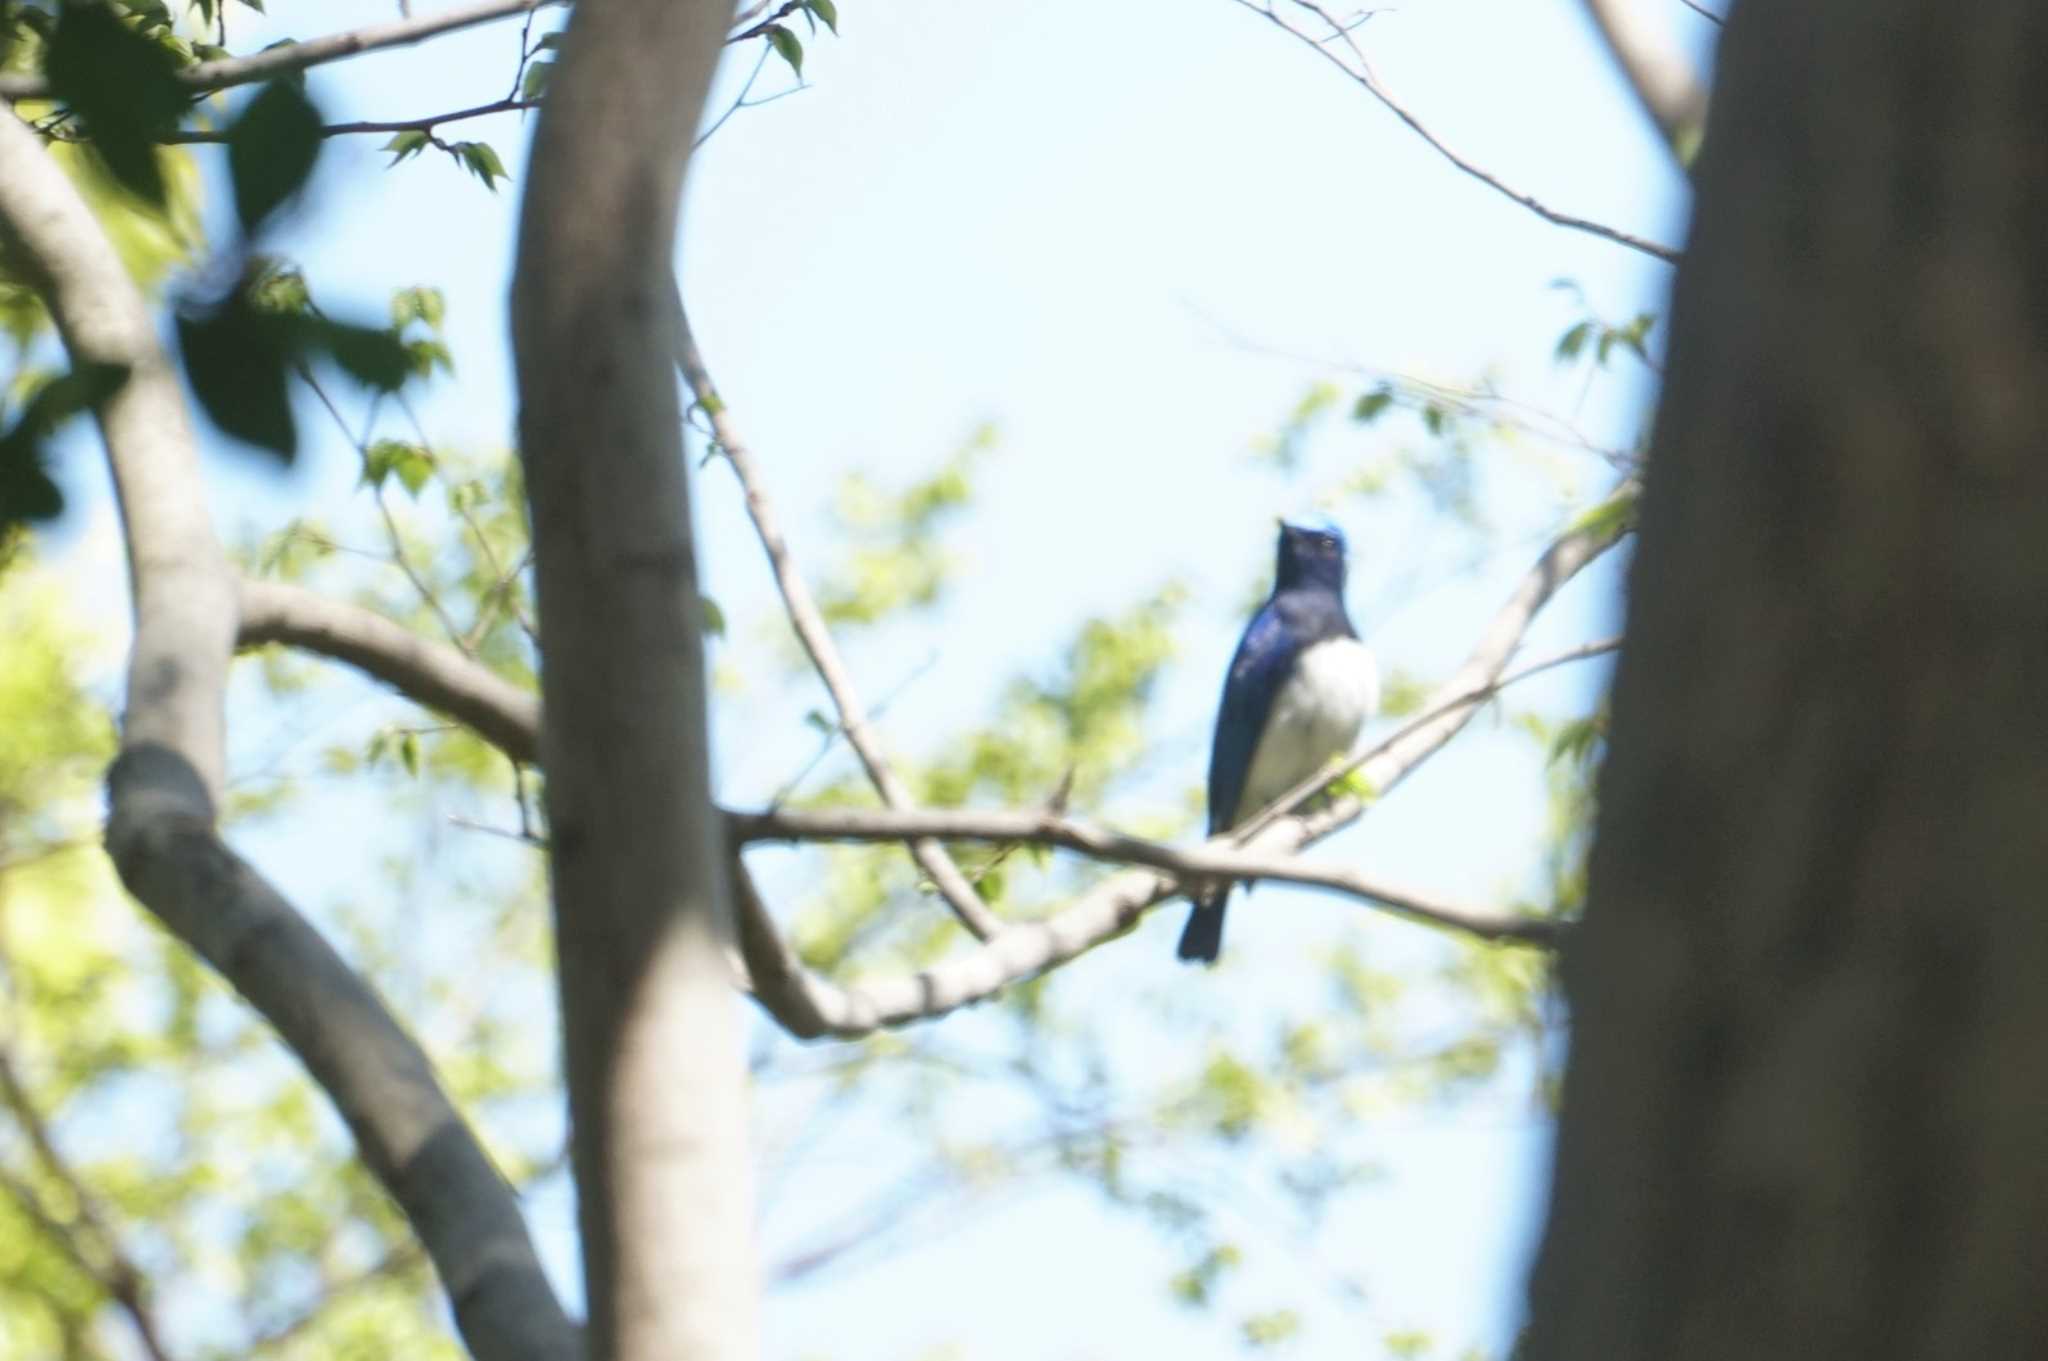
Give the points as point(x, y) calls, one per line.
point(810, 1006)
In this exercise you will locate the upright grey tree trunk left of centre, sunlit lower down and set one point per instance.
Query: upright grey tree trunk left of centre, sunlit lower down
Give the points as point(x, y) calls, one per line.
point(638, 857)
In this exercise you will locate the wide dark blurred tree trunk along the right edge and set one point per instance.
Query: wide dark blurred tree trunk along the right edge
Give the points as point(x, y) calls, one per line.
point(1807, 1106)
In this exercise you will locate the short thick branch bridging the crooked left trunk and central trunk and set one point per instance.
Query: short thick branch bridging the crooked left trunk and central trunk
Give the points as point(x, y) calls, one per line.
point(431, 674)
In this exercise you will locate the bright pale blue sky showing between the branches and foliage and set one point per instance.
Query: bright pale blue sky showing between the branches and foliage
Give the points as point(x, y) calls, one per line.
point(1127, 234)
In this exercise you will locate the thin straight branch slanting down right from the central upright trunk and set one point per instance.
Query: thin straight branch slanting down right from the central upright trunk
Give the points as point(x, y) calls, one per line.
point(816, 638)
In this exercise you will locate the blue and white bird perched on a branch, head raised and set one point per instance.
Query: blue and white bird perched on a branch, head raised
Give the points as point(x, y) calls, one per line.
point(1299, 689)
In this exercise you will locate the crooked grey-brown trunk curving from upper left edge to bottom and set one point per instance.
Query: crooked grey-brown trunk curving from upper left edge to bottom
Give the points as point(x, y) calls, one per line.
point(163, 795)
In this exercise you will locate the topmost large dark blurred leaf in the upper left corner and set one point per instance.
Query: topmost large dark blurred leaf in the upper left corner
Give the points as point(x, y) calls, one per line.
point(124, 91)
